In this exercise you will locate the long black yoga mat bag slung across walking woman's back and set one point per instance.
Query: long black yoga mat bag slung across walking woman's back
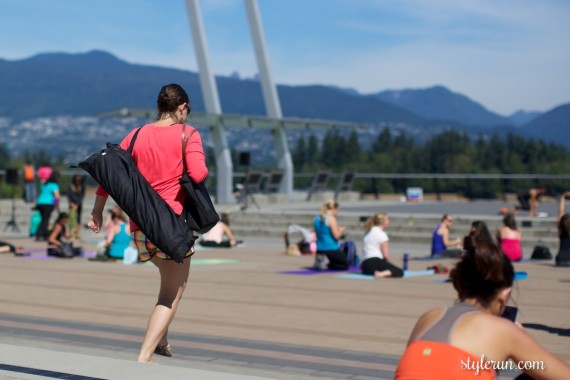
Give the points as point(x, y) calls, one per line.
point(116, 171)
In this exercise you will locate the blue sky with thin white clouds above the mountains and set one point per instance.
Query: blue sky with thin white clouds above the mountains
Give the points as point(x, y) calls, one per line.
point(505, 54)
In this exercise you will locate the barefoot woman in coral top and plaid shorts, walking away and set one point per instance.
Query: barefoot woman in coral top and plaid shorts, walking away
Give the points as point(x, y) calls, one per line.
point(158, 155)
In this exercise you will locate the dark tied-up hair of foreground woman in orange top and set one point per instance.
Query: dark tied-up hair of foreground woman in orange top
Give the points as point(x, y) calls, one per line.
point(482, 272)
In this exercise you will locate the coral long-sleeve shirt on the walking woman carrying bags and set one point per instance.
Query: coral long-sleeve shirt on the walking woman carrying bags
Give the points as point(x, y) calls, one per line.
point(158, 155)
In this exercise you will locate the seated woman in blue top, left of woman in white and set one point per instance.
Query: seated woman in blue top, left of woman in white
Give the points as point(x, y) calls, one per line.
point(328, 233)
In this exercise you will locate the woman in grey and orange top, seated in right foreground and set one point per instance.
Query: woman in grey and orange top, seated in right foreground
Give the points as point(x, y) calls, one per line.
point(472, 330)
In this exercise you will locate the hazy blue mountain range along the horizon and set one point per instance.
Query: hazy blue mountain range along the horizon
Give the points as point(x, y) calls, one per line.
point(91, 83)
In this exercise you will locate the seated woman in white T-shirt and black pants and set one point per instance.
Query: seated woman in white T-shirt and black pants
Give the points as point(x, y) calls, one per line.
point(376, 247)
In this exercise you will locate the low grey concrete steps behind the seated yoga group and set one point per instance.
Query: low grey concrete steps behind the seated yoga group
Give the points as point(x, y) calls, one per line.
point(403, 227)
